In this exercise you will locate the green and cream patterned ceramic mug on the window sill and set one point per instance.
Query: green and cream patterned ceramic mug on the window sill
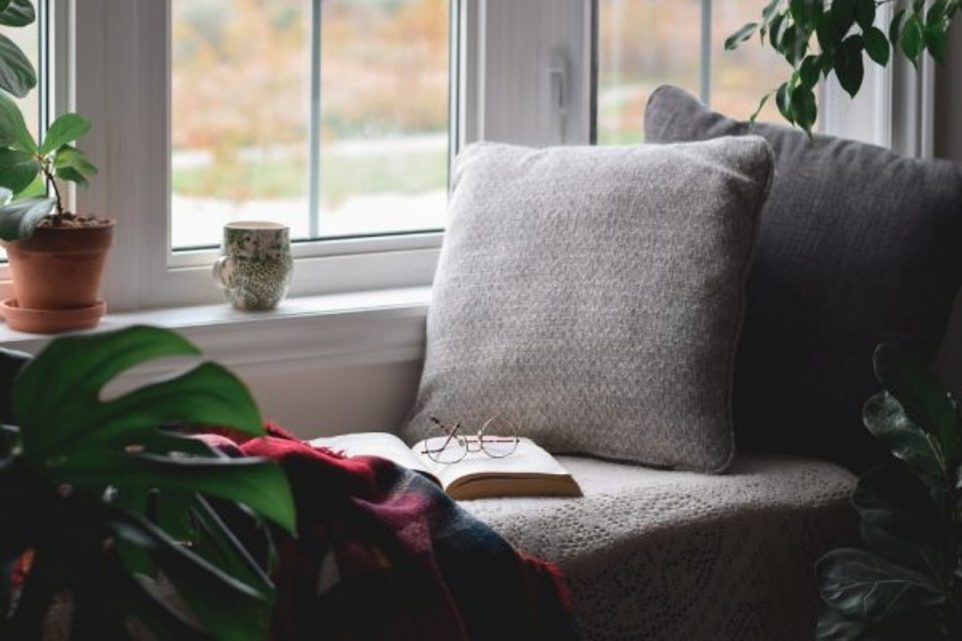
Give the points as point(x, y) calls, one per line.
point(255, 265)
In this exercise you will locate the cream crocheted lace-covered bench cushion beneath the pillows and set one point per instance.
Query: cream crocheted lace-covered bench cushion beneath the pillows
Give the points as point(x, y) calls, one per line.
point(653, 554)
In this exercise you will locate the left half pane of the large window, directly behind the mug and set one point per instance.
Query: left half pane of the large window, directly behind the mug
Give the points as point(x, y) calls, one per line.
point(240, 115)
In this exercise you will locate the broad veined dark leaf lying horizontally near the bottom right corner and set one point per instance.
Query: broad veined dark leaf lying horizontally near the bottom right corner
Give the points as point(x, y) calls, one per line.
point(867, 587)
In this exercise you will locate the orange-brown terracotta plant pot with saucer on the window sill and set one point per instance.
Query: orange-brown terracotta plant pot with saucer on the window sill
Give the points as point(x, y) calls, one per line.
point(59, 269)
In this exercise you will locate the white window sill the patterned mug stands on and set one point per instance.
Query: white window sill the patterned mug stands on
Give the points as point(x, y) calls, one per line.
point(342, 329)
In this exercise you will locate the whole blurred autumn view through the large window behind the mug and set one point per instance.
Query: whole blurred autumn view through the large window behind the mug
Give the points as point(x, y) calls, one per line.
point(331, 117)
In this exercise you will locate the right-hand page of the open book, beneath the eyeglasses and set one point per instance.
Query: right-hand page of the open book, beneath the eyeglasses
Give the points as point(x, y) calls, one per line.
point(529, 459)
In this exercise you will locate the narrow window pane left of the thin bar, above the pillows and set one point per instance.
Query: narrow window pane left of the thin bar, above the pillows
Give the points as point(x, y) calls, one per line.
point(642, 44)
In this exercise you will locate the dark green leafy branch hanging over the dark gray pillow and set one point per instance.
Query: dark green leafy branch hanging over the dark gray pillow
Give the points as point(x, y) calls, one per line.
point(820, 37)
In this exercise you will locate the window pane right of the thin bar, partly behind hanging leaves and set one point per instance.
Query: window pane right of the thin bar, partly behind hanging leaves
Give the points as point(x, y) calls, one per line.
point(742, 77)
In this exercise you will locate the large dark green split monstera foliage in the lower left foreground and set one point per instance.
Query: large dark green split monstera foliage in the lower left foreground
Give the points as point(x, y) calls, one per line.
point(115, 502)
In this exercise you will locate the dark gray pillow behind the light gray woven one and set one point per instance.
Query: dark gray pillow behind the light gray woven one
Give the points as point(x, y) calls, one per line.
point(857, 246)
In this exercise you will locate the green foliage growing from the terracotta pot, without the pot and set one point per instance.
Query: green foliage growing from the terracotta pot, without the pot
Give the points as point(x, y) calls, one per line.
point(29, 171)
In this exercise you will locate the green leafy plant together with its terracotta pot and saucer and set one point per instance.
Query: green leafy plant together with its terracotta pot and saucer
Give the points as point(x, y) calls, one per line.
point(56, 256)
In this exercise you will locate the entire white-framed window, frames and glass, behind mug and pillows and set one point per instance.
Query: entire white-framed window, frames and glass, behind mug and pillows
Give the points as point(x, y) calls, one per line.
point(334, 116)
